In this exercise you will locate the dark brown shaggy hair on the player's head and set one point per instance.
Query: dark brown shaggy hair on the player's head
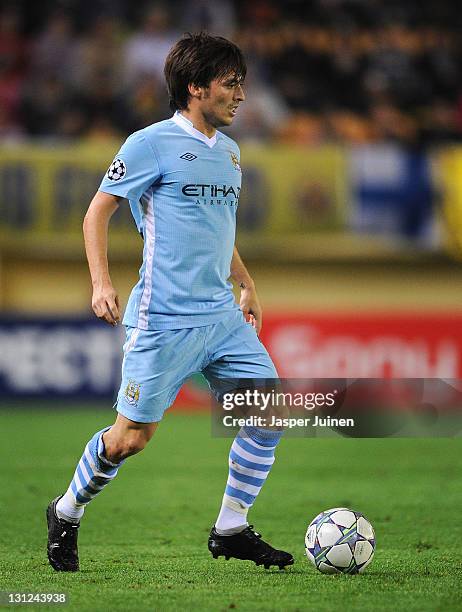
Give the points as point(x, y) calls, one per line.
point(199, 59)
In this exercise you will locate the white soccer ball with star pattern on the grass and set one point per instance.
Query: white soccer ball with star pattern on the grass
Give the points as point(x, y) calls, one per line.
point(340, 540)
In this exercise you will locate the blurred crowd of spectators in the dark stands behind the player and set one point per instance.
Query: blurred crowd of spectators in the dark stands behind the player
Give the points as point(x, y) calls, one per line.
point(354, 71)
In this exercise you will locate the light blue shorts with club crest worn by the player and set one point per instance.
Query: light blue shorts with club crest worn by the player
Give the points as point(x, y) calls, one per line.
point(156, 363)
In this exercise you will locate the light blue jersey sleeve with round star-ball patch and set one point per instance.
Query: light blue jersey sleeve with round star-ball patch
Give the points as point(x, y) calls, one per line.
point(133, 170)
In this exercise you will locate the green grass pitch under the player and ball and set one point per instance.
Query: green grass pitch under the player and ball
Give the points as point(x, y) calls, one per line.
point(143, 542)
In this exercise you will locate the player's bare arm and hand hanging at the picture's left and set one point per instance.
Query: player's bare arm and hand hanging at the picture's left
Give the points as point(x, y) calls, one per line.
point(105, 301)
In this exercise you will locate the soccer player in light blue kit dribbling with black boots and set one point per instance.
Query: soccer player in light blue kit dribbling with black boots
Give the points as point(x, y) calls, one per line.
point(182, 179)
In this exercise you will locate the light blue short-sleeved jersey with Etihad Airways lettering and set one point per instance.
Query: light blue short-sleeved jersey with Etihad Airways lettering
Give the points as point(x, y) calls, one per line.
point(183, 189)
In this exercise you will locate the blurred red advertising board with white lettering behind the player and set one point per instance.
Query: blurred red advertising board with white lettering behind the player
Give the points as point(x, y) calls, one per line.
point(314, 345)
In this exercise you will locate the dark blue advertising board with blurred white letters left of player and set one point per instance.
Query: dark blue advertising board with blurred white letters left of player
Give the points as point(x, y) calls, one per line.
point(66, 358)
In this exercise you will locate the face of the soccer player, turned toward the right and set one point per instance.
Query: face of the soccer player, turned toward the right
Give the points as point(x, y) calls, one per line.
point(221, 101)
